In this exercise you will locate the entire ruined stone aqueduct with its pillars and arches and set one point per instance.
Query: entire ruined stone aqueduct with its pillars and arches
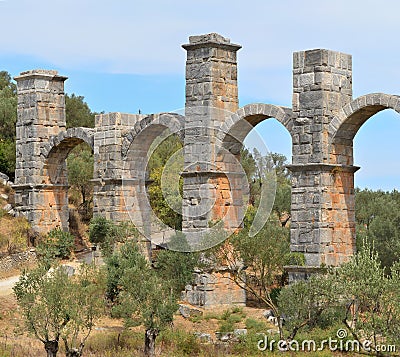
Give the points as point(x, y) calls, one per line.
point(322, 122)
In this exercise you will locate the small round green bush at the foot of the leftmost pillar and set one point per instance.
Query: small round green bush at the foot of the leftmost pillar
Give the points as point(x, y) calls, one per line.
point(56, 244)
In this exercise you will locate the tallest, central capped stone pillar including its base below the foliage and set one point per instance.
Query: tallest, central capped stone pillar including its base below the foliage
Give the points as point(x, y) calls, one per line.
point(209, 172)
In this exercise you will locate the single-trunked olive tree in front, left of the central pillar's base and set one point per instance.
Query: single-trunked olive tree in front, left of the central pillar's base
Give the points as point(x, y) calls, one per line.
point(144, 297)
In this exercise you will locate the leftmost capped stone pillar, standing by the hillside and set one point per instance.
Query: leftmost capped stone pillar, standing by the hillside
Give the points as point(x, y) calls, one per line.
point(40, 196)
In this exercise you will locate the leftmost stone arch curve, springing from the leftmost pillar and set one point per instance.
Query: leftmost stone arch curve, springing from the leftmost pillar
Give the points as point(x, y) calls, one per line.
point(57, 149)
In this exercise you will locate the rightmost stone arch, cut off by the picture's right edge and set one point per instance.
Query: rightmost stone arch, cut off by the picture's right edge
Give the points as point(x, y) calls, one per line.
point(351, 117)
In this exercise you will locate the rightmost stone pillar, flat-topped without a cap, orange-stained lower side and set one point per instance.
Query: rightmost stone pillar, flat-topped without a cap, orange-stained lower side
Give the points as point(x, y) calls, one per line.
point(322, 191)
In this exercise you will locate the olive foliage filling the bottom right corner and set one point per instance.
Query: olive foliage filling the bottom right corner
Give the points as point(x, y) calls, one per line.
point(373, 296)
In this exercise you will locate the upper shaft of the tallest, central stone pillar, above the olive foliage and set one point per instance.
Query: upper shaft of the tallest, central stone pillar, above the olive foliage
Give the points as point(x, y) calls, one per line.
point(211, 96)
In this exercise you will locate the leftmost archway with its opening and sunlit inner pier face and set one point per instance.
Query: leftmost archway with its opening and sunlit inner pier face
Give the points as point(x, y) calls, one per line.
point(66, 195)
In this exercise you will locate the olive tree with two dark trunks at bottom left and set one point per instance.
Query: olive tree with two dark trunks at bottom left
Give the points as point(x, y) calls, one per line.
point(56, 306)
